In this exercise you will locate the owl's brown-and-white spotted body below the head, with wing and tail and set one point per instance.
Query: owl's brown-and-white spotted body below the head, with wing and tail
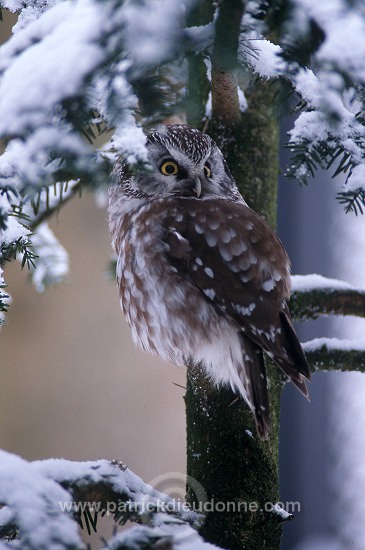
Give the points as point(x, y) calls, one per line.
point(212, 268)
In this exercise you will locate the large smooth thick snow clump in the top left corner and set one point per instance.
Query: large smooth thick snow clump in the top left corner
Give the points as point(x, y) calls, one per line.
point(30, 89)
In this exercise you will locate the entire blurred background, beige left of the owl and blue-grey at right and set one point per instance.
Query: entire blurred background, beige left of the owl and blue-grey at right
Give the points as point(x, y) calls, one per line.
point(74, 386)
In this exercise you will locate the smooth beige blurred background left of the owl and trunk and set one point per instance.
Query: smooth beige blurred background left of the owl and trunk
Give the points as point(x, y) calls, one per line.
point(73, 384)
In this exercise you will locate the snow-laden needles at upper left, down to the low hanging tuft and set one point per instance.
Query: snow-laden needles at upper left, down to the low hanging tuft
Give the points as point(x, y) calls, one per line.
point(60, 51)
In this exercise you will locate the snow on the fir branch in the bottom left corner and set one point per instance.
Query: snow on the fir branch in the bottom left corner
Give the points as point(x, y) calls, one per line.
point(42, 509)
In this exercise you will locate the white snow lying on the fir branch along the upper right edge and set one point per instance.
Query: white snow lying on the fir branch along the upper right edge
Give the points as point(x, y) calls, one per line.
point(339, 59)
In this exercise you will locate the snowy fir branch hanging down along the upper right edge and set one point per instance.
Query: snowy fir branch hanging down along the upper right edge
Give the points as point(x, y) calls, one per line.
point(331, 129)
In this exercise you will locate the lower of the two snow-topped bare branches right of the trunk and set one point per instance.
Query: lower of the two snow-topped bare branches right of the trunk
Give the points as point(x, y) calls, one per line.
point(335, 354)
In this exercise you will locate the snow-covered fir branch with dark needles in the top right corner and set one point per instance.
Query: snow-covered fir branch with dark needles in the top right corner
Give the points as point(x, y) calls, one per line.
point(321, 58)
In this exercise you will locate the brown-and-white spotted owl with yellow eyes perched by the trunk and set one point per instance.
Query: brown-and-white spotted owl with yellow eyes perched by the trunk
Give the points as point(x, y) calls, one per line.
point(202, 278)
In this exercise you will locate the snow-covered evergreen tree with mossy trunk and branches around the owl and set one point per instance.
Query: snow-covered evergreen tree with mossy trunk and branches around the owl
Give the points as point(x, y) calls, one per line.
point(77, 70)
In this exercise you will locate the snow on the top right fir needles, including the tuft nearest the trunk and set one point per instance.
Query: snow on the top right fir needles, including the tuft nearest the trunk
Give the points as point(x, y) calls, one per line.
point(329, 88)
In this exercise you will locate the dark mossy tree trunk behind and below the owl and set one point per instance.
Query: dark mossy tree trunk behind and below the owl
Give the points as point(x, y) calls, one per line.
point(238, 472)
